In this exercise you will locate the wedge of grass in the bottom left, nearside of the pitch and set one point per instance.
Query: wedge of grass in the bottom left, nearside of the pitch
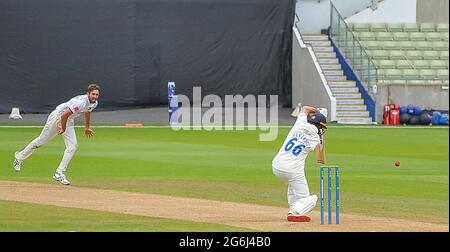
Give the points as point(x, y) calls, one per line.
point(23, 217)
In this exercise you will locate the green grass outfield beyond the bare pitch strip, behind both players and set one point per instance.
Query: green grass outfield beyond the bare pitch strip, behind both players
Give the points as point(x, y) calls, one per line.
point(235, 166)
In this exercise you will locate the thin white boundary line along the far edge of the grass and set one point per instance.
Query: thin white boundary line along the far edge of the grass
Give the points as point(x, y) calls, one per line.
point(237, 127)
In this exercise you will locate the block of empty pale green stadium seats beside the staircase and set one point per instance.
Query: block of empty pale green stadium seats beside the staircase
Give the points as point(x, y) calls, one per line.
point(408, 53)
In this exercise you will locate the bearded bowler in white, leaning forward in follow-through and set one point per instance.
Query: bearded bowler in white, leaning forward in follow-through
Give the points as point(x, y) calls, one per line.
point(61, 122)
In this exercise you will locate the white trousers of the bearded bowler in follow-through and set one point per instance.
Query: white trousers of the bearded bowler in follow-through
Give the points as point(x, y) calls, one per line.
point(49, 131)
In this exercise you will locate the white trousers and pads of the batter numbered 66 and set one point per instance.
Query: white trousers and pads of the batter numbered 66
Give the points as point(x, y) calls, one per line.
point(299, 199)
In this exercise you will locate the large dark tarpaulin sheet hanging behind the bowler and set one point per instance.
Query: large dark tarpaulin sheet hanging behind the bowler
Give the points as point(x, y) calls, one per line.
point(50, 50)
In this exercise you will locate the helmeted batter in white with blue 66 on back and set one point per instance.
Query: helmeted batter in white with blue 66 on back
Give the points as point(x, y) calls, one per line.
point(289, 164)
